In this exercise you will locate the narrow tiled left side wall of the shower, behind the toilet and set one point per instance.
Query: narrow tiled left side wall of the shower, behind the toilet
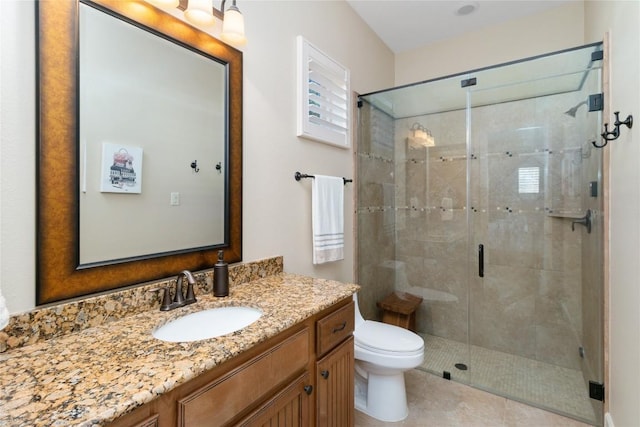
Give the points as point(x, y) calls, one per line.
point(375, 209)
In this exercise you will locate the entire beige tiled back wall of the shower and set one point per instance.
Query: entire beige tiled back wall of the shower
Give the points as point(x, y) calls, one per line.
point(529, 302)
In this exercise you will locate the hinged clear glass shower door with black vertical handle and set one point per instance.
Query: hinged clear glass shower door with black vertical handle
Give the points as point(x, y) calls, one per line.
point(535, 275)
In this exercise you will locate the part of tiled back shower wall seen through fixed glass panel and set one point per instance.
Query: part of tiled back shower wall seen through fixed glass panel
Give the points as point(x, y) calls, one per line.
point(432, 242)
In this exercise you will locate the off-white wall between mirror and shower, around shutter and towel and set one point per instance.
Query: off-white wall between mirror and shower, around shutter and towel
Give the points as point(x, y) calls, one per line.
point(276, 207)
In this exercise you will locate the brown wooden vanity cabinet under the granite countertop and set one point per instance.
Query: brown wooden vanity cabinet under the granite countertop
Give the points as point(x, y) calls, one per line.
point(302, 377)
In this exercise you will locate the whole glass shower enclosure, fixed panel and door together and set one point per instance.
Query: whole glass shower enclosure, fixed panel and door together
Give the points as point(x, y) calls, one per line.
point(482, 193)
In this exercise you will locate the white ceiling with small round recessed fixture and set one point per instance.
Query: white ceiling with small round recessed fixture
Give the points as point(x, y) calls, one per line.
point(407, 24)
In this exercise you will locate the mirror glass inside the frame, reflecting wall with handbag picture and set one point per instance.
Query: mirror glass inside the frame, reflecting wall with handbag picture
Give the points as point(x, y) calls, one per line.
point(152, 143)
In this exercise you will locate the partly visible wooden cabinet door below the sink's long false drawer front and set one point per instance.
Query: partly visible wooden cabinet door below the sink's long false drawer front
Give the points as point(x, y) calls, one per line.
point(288, 408)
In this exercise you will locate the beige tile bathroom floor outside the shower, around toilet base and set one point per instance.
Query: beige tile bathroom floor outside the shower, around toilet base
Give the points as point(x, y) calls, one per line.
point(434, 401)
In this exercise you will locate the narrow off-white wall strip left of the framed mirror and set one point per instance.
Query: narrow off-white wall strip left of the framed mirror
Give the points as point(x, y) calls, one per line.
point(17, 154)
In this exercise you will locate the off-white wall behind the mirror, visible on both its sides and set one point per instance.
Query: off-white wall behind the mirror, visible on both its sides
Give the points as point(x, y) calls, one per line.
point(276, 208)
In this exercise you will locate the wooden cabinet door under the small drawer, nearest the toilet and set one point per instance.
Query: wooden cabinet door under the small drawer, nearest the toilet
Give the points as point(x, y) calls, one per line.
point(334, 386)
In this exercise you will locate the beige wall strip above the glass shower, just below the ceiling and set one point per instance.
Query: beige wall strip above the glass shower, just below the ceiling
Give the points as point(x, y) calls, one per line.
point(548, 31)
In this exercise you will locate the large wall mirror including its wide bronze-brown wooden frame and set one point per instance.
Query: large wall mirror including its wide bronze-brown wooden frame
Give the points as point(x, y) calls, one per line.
point(140, 147)
